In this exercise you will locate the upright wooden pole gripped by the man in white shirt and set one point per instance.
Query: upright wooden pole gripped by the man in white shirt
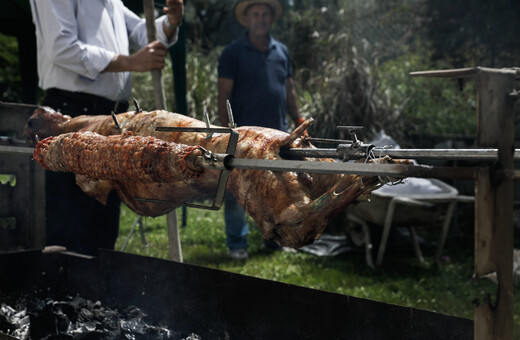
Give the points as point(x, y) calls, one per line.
point(160, 103)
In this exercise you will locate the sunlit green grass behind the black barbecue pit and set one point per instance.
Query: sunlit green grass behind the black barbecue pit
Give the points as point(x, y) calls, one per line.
point(447, 288)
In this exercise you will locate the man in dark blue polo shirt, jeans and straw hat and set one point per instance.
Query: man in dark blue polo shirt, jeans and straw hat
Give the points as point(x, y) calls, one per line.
point(255, 75)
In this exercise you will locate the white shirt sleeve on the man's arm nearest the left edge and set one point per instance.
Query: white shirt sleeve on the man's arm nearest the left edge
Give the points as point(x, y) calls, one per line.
point(56, 20)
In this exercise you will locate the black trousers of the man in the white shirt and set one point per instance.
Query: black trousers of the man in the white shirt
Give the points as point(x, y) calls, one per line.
point(73, 219)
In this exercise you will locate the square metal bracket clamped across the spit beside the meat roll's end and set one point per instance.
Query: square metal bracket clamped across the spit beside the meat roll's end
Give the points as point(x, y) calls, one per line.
point(209, 159)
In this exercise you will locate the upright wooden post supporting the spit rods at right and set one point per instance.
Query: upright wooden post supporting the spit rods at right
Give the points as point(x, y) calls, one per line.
point(494, 205)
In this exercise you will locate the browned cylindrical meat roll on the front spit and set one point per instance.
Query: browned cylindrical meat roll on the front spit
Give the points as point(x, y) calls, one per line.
point(119, 157)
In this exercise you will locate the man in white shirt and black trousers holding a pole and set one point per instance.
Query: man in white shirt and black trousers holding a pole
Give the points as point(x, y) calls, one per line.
point(84, 67)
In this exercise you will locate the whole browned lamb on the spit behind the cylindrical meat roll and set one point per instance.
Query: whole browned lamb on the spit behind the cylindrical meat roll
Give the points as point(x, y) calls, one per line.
point(290, 208)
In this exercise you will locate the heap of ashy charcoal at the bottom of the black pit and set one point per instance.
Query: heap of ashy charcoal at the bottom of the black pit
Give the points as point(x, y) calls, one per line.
point(78, 318)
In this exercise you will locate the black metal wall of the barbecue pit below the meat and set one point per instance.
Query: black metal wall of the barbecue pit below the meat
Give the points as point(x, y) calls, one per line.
point(215, 304)
